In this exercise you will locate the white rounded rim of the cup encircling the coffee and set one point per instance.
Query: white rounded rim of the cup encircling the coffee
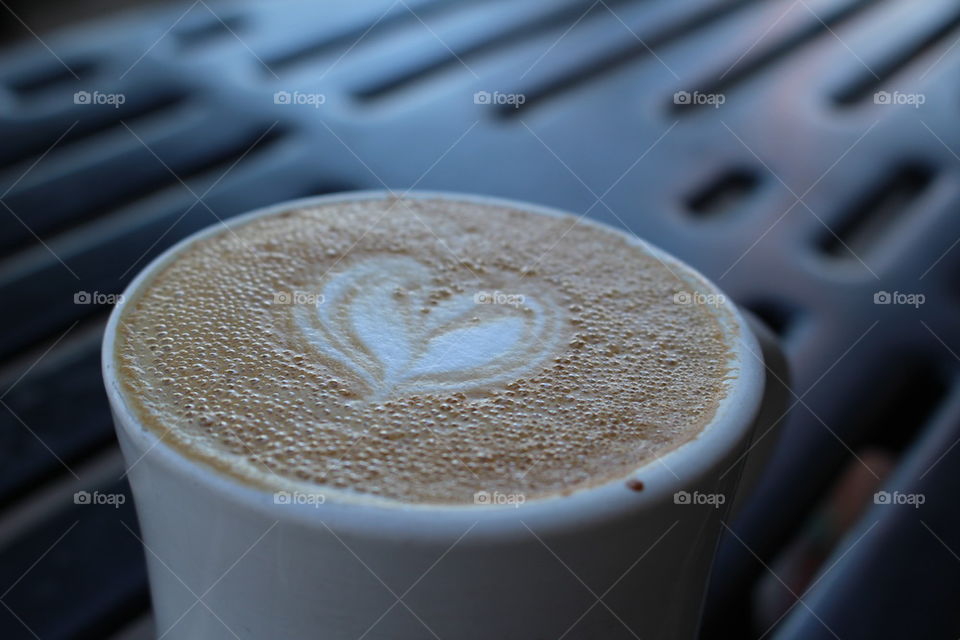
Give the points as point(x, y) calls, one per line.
point(677, 469)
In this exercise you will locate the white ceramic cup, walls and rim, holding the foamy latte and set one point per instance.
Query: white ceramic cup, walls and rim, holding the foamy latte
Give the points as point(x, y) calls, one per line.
point(227, 561)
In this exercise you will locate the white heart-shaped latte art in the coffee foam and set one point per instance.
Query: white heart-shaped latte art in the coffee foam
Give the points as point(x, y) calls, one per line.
point(399, 330)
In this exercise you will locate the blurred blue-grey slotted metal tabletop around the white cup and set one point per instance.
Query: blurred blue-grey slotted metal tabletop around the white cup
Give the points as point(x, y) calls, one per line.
point(799, 194)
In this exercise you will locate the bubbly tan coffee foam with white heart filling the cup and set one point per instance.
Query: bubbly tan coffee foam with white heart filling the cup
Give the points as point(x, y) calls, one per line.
point(420, 351)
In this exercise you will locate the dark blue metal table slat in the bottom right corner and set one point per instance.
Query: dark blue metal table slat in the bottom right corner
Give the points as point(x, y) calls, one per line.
point(895, 547)
